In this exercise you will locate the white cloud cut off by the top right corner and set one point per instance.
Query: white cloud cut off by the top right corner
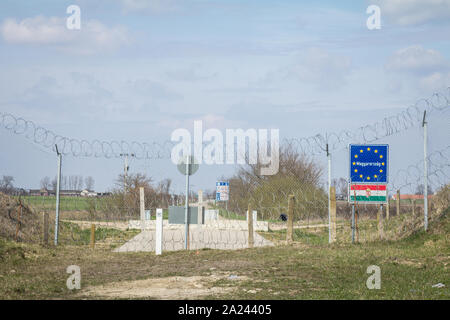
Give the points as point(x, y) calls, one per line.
point(412, 12)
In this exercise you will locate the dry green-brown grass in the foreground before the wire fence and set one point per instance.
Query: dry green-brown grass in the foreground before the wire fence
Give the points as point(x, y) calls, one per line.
point(307, 269)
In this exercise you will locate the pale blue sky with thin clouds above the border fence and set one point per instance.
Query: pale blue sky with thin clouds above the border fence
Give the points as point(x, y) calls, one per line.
point(138, 69)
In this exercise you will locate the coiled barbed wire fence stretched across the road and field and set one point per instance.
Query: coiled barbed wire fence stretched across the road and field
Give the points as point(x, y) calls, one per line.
point(120, 224)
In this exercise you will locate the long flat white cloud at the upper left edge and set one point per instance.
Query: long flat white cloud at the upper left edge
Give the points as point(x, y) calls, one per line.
point(92, 37)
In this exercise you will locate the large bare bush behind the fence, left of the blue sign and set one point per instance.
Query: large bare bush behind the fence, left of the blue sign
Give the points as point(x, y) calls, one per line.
point(298, 175)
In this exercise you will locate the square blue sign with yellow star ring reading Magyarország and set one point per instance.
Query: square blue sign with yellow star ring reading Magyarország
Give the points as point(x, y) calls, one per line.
point(369, 163)
